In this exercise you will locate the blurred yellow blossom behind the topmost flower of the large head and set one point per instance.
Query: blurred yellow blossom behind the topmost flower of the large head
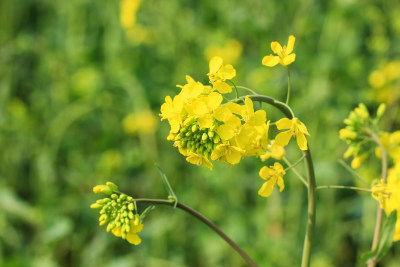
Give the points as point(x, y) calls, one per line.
point(230, 51)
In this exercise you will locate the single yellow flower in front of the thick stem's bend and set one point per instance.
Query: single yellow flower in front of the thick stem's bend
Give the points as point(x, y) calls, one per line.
point(296, 128)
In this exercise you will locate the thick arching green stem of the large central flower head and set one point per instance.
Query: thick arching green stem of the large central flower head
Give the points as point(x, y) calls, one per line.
point(285, 109)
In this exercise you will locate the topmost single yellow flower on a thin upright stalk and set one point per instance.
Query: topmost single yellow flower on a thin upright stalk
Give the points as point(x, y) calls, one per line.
point(284, 55)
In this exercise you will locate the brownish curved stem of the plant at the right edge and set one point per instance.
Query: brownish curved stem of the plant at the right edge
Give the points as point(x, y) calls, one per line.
point(378, 224)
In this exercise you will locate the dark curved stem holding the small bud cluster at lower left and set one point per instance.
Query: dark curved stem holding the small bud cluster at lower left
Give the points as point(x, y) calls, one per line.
point(206, 221)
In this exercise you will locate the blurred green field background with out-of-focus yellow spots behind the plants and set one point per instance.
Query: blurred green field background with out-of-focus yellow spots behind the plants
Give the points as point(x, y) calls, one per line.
point(81, 83)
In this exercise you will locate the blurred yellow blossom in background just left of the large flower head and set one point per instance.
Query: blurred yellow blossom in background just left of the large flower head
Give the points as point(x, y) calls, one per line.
point(140, 122)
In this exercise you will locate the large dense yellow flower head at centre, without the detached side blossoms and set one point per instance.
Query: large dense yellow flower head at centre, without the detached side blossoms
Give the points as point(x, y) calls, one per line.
point(204, 129)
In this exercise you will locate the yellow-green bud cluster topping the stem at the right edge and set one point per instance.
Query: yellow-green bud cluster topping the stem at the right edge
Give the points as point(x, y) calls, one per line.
point(357, 133)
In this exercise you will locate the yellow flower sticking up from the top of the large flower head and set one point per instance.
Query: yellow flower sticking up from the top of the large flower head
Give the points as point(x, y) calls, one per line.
point(219, 73)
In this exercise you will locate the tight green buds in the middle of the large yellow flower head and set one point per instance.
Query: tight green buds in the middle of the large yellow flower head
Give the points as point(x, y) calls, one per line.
point(194, 139)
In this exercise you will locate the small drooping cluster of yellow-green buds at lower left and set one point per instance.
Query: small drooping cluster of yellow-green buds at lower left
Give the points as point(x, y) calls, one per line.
point(119, 212)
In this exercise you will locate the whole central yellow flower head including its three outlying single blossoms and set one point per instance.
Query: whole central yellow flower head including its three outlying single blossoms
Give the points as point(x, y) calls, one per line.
point(205, 129)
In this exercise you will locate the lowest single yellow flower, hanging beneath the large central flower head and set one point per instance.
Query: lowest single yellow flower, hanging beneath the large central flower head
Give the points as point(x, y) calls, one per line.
point(273, 175)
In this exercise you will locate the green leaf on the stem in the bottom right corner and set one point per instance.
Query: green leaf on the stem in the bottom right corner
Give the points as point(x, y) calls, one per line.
point(385, 241)
